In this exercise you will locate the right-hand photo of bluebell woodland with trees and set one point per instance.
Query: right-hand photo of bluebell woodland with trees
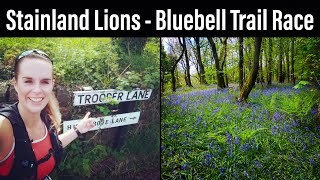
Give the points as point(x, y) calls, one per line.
point(240, 107)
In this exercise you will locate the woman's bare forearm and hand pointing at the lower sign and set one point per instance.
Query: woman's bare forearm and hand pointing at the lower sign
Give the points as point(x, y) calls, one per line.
point(84, 126)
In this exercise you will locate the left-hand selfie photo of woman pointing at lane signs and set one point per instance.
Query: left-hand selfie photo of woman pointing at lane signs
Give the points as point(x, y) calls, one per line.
point(80, 108)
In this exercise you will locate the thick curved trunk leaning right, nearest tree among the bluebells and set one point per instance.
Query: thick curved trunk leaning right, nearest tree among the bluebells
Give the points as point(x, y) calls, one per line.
point(245, 91)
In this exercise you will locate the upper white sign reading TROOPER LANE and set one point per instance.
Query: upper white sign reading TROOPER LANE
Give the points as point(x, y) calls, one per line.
point(97, 96)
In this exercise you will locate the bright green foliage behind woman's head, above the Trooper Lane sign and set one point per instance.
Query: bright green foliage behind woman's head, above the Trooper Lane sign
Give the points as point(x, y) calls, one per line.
point(97, 62)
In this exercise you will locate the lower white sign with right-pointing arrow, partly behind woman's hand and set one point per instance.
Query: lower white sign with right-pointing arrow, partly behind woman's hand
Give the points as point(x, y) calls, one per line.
point(107, 121)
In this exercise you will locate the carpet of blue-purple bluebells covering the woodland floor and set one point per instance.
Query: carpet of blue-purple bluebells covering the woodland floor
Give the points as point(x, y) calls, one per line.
point(287, 127)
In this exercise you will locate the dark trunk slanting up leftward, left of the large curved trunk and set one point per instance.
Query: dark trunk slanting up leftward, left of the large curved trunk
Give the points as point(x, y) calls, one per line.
point(220, 74)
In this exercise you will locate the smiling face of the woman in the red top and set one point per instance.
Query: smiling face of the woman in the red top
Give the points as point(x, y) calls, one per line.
point(34, 84)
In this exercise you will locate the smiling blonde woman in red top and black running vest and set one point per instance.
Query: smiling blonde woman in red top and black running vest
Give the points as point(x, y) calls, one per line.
point(30, 147)
